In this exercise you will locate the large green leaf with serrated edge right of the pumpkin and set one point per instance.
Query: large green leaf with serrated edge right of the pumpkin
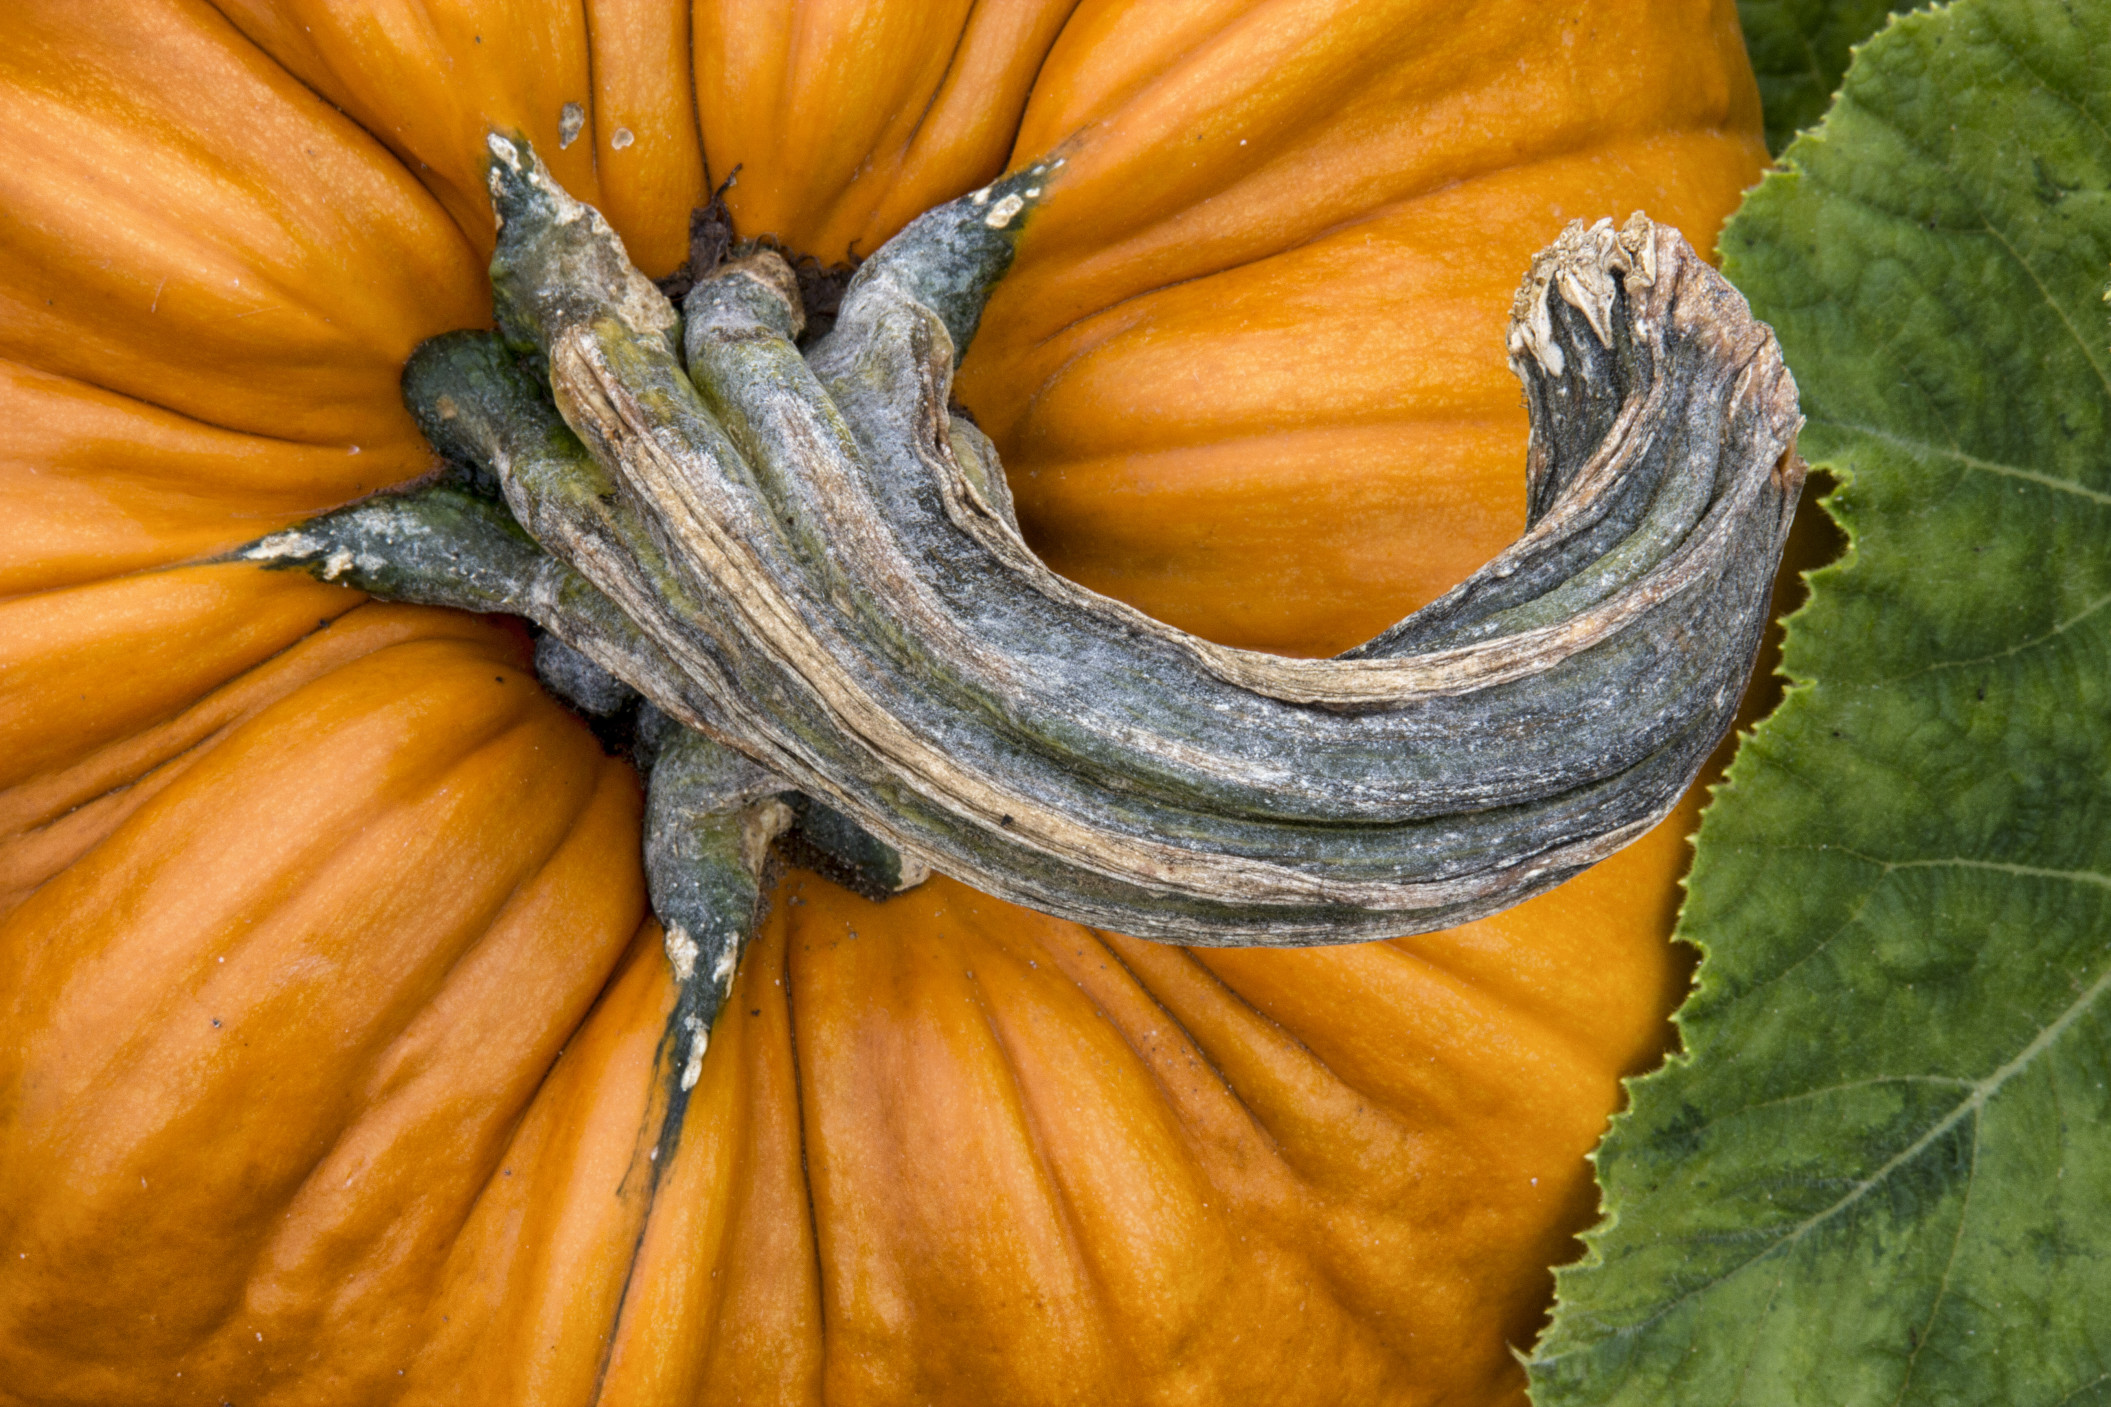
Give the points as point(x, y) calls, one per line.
point(1882, 1172)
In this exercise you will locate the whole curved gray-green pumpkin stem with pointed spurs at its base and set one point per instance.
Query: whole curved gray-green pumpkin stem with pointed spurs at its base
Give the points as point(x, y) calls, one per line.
point(810, 566)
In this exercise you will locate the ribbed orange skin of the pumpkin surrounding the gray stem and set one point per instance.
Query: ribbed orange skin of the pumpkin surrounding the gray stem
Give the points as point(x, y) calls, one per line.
point(332, 1001)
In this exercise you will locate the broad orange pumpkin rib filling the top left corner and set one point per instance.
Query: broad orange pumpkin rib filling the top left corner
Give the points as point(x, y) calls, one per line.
point(320, 372)
